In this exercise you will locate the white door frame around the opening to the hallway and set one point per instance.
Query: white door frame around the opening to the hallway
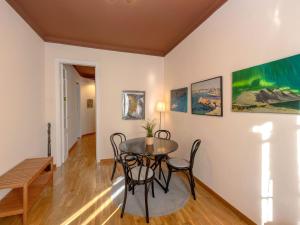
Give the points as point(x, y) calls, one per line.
point(59, 154)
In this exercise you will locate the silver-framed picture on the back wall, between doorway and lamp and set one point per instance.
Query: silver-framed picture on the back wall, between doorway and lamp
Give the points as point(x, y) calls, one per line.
point(133, 103)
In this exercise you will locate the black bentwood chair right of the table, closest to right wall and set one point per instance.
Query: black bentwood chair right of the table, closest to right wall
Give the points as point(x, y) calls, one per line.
point(177, 164)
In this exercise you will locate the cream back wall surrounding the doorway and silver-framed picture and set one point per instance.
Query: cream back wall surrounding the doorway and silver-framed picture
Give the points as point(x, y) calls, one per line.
point(115, 71)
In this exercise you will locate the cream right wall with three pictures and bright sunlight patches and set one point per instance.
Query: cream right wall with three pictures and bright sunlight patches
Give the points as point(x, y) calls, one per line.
point(241, 34)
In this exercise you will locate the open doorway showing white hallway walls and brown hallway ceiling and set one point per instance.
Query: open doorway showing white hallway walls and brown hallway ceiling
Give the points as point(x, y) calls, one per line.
point(78, 105)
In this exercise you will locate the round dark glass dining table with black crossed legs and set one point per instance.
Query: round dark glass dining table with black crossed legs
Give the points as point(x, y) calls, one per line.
point(159, 150)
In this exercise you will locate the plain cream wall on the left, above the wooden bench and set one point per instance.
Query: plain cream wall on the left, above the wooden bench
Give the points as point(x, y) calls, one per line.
point(23, 128)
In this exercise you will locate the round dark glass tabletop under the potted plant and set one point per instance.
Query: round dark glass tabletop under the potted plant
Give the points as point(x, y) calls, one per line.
point(160, 147)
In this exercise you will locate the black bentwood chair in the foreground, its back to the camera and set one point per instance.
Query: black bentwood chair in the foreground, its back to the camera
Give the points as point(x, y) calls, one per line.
point(137, 174)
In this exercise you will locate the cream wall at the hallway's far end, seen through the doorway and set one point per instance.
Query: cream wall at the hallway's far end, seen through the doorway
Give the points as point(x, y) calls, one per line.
point(87, 115)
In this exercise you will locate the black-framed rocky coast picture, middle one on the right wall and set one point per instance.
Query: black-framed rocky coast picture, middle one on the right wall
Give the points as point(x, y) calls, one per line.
point(207, 97)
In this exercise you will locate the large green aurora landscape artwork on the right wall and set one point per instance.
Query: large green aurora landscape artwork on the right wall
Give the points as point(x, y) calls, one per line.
point(268, 88)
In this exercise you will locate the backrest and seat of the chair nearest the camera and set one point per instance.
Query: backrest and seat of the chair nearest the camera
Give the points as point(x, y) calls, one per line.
point(135, 170)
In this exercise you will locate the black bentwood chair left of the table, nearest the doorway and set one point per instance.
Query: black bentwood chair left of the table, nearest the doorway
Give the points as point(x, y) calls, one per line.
point(115, 140)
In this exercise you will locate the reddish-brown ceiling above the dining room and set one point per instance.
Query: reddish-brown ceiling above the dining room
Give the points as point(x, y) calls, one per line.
point(152, 27)
